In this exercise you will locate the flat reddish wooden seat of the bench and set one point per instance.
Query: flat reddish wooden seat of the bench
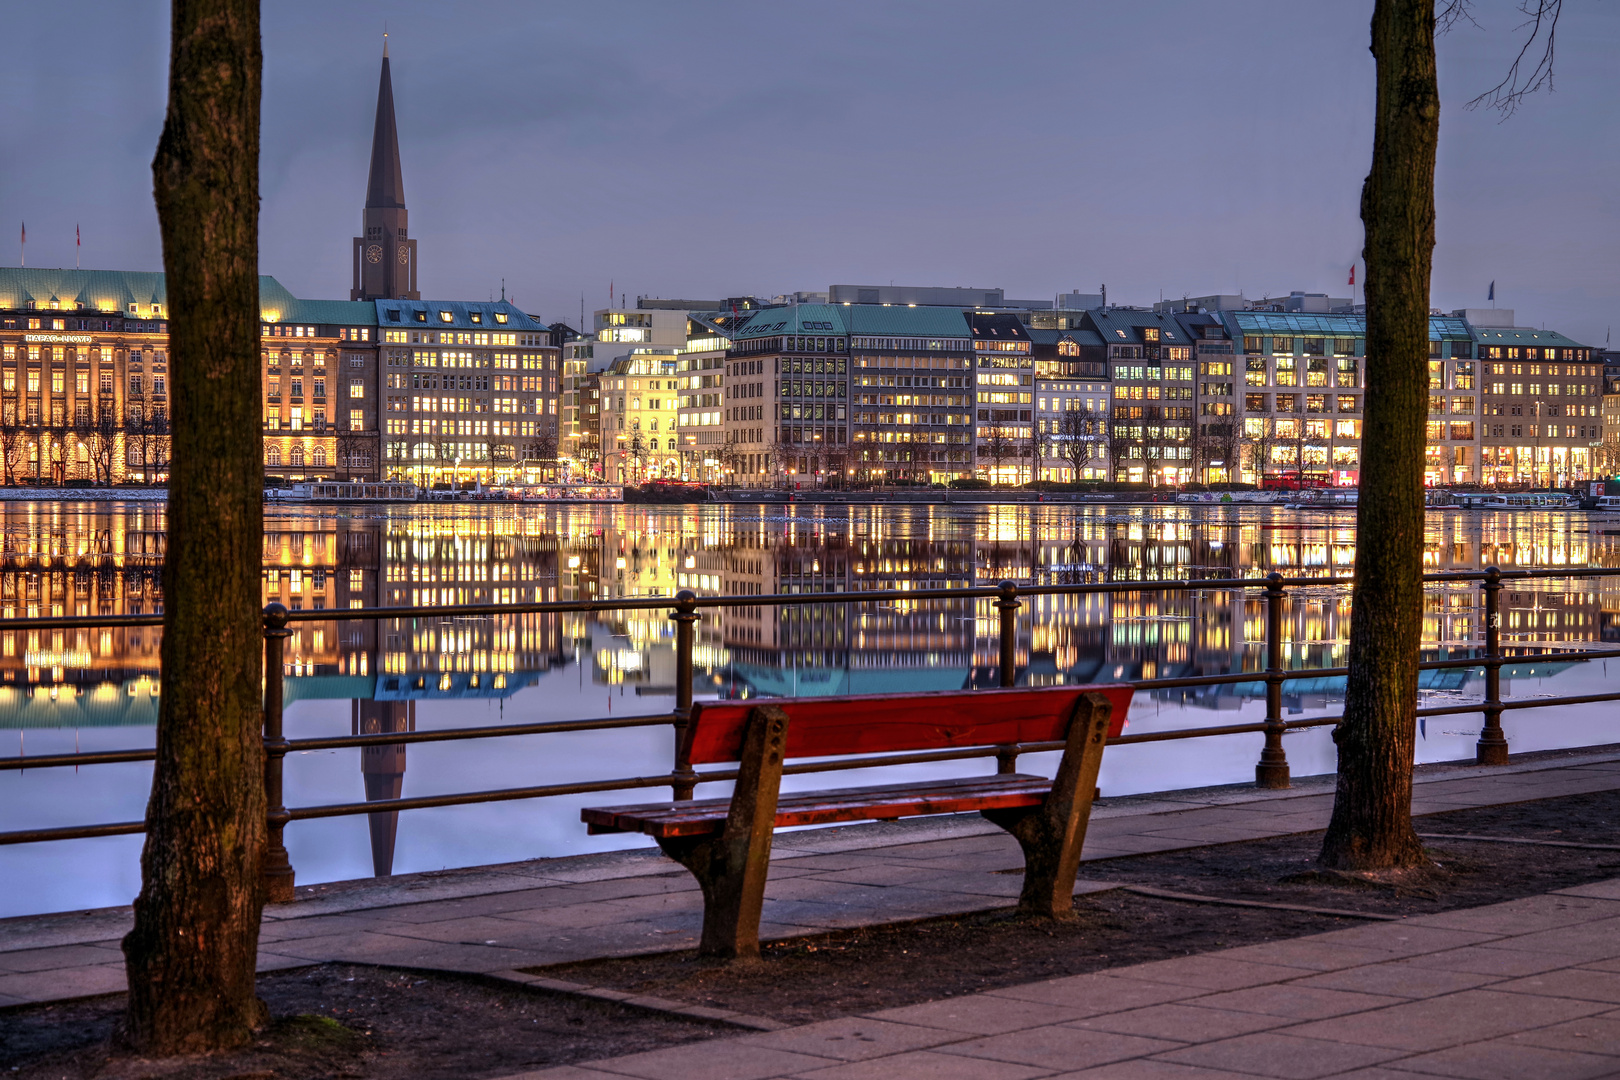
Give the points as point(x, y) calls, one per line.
point(829, 807)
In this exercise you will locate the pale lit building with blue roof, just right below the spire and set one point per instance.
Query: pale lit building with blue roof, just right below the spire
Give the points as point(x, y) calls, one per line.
point(469, 393)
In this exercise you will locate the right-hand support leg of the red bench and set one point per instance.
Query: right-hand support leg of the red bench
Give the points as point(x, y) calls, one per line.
point(1054, 833)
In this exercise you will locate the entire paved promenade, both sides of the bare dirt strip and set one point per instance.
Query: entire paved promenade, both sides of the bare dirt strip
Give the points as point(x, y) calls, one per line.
point(1519, 989)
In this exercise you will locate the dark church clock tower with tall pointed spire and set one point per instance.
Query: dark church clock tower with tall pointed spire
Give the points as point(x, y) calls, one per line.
point(385, 257)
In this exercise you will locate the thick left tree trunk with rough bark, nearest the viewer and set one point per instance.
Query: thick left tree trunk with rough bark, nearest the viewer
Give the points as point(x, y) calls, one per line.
point(197, 922)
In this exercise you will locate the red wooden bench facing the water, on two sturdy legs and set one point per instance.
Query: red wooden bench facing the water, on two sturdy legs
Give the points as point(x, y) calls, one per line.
point(727, 843)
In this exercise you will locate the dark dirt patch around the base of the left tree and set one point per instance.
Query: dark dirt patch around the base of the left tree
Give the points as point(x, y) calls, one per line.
point(364, 1023)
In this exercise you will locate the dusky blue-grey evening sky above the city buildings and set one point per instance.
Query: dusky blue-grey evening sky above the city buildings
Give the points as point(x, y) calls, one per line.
point(709, 150)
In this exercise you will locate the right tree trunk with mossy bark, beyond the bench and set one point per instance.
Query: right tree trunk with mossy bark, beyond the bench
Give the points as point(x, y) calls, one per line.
point(1371, 825)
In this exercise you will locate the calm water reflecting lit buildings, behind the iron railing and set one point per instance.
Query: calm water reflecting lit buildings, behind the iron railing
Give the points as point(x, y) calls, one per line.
point(95, 691)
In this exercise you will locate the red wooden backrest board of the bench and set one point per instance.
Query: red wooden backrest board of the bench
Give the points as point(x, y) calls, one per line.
point(821, 728)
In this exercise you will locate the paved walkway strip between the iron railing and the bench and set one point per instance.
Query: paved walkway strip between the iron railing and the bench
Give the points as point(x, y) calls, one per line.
point(573, 909)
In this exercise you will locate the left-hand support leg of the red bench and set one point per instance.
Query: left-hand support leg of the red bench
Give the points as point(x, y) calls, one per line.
point(731, 867)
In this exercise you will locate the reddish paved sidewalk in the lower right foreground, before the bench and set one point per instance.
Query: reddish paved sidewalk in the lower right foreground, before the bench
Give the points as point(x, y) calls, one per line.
point(1528, 989)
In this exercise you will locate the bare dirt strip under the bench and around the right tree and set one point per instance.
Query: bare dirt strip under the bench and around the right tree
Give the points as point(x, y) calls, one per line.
point(882, 967)
